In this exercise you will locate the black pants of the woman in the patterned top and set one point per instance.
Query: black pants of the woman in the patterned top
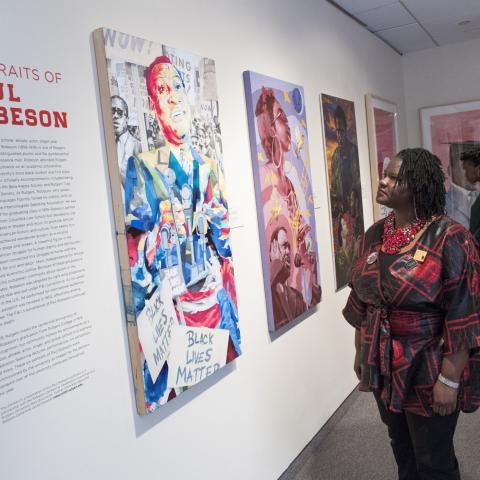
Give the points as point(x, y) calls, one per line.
point(422, 446)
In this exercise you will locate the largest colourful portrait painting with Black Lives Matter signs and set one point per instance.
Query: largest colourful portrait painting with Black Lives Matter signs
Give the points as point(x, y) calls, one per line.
point(163, 138)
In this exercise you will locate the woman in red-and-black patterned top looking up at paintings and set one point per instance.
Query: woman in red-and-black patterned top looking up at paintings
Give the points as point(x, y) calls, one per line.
point(415, 304)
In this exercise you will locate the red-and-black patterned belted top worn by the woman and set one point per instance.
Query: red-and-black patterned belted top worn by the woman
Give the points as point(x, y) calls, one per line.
point(412, 313)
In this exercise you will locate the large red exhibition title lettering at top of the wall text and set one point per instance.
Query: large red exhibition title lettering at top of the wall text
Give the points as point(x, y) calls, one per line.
point(31, 117)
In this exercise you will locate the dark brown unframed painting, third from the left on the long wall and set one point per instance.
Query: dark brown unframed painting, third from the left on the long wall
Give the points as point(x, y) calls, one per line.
point(345, 192)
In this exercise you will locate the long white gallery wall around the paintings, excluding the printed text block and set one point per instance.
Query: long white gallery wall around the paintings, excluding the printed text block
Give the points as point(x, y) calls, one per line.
point(260, 413)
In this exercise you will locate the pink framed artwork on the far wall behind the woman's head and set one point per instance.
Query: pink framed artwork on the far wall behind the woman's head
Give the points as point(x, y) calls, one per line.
point(448, 131)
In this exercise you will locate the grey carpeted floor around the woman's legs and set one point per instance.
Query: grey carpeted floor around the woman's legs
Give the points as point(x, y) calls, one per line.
point(354, 444)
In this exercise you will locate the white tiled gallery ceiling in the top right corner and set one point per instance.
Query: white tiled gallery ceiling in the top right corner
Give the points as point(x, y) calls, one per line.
point(410, 25)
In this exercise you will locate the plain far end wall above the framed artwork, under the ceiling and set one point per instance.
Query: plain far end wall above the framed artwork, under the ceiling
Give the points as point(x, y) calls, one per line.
point(439, 76)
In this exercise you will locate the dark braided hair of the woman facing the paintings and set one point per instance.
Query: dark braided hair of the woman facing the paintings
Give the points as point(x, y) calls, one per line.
point(421, 173)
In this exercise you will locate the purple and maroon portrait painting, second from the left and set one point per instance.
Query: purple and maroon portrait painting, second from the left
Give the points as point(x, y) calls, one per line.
point(283, 187)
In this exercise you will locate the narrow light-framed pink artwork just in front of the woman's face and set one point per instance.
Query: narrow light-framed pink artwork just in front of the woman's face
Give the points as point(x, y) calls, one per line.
point(382, 124)
